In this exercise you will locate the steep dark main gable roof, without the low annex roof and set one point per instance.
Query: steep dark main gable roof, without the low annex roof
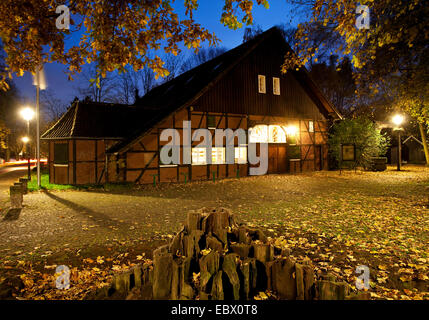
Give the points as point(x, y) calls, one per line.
point(189, 86)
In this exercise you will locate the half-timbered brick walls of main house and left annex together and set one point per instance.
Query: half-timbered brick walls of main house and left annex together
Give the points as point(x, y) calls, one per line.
point(140, 164)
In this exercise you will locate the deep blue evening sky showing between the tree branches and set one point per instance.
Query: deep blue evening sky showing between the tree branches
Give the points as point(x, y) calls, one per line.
point(208, 15)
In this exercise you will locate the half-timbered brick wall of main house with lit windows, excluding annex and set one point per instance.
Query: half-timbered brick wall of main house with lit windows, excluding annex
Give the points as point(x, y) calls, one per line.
point(140, 164)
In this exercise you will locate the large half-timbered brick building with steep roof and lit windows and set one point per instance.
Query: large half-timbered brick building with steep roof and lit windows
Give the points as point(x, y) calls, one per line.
point(242, 88)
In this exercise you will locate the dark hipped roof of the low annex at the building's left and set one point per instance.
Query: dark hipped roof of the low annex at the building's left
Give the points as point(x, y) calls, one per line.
point(97, 120)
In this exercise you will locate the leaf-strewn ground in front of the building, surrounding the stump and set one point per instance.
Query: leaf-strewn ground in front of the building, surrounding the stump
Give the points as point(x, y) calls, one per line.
point(378, 219)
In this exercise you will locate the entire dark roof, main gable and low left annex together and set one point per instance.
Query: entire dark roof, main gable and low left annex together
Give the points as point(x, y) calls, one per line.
point(131, 123)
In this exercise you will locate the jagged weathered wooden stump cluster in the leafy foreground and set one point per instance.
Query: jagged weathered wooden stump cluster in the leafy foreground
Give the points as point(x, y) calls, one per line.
point(214, 258)
